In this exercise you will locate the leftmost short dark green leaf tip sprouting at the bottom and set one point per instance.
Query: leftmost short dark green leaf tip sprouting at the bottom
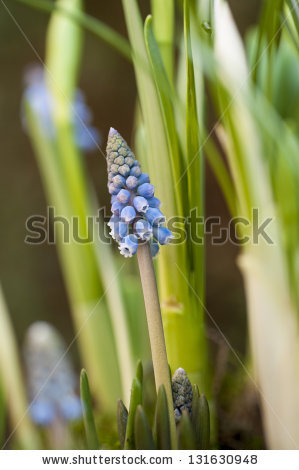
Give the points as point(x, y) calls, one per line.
point(89, 424)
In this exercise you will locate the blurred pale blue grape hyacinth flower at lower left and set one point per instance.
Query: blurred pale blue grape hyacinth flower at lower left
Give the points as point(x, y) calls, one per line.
point(51, 380)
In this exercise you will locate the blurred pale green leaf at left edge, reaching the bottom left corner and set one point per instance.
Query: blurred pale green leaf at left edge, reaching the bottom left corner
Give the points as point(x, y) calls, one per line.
point(13, 385)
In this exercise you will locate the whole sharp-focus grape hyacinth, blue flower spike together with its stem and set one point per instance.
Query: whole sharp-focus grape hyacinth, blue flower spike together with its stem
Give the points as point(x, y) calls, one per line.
point(135, 206)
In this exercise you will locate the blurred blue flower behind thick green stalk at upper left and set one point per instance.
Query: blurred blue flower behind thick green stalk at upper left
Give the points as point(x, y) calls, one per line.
point(39, 98)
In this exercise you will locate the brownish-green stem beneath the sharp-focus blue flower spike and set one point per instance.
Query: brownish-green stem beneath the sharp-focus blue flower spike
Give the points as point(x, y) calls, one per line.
point(155, 327)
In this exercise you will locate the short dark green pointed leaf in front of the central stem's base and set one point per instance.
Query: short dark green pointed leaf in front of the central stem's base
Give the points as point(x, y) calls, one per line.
point(162, 426)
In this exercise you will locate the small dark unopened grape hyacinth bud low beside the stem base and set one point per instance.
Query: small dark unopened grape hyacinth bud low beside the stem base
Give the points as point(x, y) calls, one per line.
point(182, 393)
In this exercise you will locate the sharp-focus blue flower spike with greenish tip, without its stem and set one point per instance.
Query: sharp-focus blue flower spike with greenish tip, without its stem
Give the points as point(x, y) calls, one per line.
point(136, 211)
